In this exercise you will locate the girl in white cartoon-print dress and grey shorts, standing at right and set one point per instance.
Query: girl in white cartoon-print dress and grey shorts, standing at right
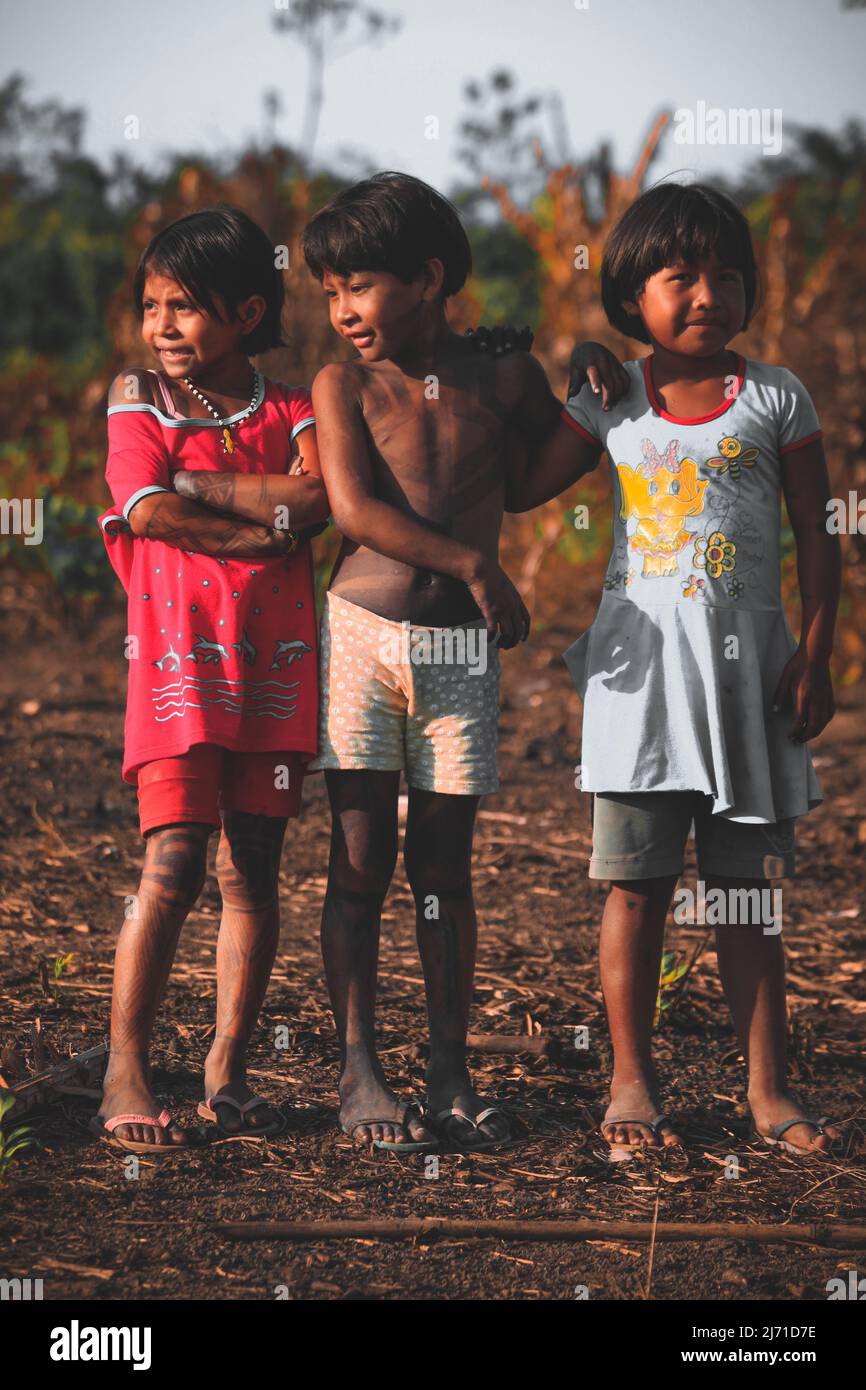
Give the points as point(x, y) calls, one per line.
point(698, 703)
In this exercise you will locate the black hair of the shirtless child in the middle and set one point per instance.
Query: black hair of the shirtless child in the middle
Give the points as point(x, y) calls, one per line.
point(393, 223)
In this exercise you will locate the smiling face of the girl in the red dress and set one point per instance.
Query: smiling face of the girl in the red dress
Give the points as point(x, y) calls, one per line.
point(188, 340)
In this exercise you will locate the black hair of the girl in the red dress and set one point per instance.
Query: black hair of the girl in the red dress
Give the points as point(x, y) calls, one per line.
point(219, 252)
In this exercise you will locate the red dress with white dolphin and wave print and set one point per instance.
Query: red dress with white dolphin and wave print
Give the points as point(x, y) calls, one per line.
point(222, 651)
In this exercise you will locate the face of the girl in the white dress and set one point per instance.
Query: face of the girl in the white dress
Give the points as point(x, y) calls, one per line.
point(693, 311)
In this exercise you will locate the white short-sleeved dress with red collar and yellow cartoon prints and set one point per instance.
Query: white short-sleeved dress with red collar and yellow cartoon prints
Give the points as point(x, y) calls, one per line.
point(679, 669)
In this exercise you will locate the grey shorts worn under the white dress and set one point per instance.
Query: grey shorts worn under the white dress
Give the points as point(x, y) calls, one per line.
point(643, 836)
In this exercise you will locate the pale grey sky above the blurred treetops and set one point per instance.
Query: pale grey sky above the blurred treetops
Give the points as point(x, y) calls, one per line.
point(194, 72)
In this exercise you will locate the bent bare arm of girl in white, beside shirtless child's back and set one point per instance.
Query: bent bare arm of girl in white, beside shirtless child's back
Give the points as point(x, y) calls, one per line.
point(551, 452)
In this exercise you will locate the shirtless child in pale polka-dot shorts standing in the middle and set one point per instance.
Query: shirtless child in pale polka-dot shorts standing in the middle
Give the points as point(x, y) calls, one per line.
point(414, 439)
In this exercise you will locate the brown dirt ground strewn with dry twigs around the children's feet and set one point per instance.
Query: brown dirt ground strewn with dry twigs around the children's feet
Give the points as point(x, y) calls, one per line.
point(70, 853)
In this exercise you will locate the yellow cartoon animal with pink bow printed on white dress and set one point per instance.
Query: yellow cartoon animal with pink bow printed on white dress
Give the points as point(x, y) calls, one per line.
point(661, 496)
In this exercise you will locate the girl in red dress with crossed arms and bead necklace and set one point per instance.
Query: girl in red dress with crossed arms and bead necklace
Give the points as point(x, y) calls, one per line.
point(215, 476)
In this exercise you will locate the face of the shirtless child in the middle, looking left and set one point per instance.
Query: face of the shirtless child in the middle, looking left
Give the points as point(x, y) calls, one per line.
point(379, 313)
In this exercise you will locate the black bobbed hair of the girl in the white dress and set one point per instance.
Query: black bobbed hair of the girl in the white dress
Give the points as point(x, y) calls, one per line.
point(668, 224)
